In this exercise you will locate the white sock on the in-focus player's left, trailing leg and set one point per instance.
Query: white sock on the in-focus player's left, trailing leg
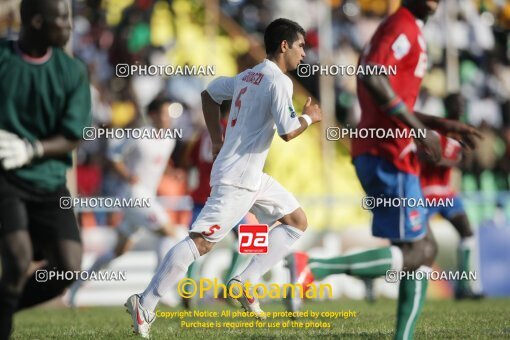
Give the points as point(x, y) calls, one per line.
point(172, 269)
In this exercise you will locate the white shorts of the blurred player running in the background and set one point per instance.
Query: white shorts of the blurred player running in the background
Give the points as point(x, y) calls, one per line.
point(152, 218)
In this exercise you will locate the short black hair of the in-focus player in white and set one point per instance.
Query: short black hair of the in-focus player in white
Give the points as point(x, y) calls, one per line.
point(279, 30)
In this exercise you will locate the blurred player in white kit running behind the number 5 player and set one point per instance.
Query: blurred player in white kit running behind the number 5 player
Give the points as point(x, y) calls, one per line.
point(139, 164)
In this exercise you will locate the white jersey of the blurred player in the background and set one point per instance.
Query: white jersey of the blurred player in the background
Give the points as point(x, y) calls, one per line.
point(145, 158)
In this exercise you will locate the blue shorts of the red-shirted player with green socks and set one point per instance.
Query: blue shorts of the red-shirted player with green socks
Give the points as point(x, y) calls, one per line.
point(380, 178)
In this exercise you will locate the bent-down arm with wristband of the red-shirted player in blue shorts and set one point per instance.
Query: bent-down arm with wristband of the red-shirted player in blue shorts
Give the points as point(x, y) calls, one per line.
point(382, 92)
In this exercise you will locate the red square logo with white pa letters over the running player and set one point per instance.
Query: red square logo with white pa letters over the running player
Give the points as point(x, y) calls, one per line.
point(253, 238)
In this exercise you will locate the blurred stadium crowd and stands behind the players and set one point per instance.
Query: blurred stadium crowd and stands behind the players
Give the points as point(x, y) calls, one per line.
point(469, 51)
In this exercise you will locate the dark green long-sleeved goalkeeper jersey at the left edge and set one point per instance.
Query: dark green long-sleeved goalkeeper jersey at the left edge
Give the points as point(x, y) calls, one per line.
point(41, 98)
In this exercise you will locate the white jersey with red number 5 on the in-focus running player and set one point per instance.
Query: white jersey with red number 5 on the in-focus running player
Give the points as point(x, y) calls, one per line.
point(261, 101)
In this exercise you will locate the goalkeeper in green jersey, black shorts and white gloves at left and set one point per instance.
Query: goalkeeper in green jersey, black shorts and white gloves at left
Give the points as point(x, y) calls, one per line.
point(45, 104)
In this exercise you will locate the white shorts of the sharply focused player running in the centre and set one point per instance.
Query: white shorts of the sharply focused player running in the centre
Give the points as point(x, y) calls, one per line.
point(227, 205)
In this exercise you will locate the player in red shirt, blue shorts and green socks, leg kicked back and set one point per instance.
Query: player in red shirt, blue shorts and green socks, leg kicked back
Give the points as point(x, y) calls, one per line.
point(390, 167)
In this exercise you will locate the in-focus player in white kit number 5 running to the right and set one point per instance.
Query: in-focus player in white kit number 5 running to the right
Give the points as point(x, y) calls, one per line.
point(261, 103)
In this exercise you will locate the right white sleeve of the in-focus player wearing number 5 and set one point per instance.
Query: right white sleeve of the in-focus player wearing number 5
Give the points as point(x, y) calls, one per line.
point(282, 109)
